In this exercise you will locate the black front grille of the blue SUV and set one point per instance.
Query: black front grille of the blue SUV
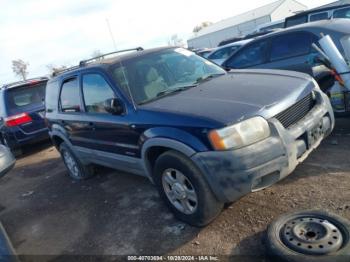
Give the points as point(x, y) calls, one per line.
point(297, 111)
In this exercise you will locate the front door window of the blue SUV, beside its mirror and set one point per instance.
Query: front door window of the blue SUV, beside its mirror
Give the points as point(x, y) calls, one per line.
point(96, 91)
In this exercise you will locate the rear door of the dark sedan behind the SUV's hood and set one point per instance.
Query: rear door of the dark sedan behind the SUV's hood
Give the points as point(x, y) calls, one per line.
point(292, 51)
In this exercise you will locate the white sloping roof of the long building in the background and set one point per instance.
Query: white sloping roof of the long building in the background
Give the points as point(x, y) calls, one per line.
point(242, 18)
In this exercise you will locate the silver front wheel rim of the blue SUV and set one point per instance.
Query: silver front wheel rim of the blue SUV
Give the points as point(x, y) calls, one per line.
point(179, 191)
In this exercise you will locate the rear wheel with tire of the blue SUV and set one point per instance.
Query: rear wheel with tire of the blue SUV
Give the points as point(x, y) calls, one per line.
point(76, 169)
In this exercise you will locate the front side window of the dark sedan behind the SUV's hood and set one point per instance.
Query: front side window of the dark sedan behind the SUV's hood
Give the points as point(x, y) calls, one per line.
point(254, 54)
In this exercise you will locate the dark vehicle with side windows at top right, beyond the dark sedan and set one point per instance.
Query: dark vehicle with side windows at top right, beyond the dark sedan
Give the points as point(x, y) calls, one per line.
point(325, 13)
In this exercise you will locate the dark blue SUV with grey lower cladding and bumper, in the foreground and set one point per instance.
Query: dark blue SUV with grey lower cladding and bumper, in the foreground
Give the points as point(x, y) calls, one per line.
point(202, 135)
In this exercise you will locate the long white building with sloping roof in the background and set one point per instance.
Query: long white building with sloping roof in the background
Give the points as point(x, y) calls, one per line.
point(245, 23)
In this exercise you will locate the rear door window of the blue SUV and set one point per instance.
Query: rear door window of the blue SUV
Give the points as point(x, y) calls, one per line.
point(70, 96)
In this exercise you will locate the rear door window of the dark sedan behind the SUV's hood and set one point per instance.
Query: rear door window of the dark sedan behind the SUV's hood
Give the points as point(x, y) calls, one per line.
point(290, 45)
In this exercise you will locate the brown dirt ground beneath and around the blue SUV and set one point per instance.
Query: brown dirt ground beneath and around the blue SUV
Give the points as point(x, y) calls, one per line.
point(114, 213)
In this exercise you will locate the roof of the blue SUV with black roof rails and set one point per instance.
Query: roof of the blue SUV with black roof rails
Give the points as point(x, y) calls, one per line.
point(119, 57)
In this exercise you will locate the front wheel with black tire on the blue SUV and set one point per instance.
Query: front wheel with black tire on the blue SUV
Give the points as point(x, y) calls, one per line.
point(198, 213)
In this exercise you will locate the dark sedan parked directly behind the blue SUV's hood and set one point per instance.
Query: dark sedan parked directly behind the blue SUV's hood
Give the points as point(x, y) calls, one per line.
point(291, 49)
